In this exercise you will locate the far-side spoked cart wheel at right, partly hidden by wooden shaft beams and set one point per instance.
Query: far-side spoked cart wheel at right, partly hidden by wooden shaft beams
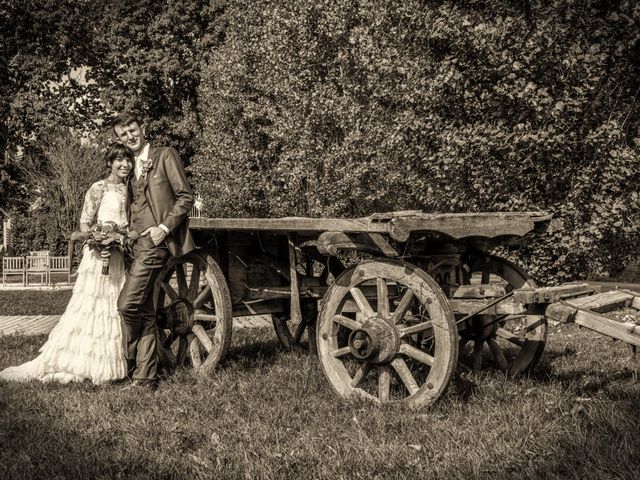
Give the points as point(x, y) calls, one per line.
point(516, 342)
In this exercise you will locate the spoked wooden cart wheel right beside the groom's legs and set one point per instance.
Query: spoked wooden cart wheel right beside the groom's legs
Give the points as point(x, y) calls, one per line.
point(193, 303)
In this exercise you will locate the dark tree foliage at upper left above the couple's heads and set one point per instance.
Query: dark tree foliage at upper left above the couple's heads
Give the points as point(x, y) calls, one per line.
point(73, 64)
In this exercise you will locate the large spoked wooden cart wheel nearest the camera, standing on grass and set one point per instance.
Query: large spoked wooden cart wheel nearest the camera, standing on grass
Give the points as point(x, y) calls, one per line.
point(403, 346)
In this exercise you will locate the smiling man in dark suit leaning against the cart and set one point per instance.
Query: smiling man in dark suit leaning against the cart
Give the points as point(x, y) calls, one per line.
point(159, 198)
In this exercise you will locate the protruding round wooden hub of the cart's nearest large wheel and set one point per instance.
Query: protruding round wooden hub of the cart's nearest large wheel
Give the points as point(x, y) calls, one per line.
point(376, 341)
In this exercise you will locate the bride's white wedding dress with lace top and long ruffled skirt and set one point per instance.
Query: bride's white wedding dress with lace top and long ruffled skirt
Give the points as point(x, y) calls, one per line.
point(87, 342)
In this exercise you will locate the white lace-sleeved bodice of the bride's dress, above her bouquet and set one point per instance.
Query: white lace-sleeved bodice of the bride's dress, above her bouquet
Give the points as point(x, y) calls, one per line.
point(104, 202)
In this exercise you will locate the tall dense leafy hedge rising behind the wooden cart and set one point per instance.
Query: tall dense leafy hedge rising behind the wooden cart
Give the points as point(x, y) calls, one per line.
point(344, 108)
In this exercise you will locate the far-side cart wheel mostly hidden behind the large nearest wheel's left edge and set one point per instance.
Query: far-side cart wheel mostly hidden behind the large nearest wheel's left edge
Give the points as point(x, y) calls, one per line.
point(289, 334)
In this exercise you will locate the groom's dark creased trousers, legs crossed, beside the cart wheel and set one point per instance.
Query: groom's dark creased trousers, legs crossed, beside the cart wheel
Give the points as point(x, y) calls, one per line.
point(136, 307)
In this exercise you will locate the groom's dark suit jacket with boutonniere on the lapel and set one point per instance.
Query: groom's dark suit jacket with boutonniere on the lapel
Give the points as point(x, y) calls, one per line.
point(170, 197)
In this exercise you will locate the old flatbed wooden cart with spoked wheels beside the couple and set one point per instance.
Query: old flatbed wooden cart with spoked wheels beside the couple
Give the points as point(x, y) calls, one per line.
point(393, 302)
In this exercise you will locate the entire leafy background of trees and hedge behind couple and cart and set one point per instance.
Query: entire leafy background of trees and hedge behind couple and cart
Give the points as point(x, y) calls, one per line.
point(344, 108)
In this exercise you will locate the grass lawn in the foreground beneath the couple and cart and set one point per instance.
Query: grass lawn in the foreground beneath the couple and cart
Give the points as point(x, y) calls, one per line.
point(267, 413)
